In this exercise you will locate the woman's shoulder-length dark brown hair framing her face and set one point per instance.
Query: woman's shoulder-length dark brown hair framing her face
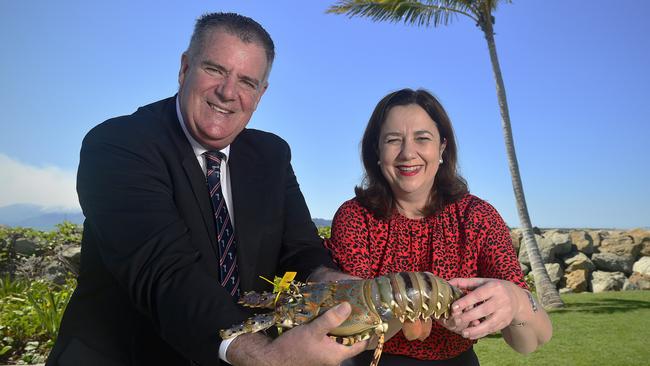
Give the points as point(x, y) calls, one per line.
point(375, 193)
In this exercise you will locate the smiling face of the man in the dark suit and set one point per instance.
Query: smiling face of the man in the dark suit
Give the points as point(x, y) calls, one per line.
point(220, 86)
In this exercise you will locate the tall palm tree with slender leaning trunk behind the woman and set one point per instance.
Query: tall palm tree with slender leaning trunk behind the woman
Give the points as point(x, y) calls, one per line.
point(442, 12)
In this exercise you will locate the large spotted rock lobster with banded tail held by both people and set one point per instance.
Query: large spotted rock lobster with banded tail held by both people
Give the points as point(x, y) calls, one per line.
point(375, 302)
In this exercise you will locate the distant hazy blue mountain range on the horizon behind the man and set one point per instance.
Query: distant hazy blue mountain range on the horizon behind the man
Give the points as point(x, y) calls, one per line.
point(36, 217)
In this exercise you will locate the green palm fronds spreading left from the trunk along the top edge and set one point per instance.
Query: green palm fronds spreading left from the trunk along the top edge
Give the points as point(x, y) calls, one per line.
point(420, 13)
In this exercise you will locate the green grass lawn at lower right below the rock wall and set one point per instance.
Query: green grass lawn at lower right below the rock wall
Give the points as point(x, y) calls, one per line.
point(611, 328)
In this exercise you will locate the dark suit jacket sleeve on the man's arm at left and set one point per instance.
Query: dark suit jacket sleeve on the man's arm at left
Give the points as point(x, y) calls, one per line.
point(126, 192)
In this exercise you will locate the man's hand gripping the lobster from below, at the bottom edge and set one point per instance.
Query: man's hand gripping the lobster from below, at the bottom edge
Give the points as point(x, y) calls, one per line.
point(305, 345)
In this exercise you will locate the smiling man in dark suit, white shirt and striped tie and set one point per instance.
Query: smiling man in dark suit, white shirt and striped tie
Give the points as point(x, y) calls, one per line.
point(150, 287)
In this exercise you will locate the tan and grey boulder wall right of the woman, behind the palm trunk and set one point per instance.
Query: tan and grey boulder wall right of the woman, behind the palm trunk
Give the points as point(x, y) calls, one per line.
point(591, 260)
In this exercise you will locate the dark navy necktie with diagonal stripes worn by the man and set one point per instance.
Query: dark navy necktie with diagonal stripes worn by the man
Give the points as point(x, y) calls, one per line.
point(225, 232)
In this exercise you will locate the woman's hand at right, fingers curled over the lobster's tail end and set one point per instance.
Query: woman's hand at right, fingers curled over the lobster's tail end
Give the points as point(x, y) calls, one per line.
point(490, 306)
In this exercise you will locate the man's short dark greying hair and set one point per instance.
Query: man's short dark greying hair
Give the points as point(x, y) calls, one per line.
point(248, 30)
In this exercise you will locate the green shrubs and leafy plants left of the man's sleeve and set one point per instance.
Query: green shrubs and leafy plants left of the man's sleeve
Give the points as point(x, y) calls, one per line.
point(31, 307)
